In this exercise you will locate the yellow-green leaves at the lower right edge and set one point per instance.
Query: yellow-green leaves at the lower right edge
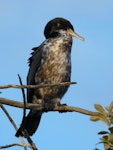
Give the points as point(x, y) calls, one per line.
point(105, 115)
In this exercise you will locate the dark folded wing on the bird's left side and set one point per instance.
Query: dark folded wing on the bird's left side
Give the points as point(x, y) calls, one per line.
point(34, 63)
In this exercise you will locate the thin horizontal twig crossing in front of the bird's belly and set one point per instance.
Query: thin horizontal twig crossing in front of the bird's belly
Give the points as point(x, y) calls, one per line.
point(36, 86)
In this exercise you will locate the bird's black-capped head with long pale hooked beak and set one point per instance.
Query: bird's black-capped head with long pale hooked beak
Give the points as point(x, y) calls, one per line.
point(53, 26)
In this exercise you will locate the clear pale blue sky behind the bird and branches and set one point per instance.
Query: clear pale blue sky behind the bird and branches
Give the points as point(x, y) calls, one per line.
point(21, 28)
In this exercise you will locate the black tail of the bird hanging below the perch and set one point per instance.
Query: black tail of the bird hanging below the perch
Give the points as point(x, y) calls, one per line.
point(30, 123)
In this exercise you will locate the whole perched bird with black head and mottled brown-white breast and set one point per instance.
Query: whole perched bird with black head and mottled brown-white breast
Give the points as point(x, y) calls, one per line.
point(49, 63)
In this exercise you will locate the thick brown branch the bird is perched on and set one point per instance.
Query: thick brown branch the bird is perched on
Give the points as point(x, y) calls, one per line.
point(62, 108)
